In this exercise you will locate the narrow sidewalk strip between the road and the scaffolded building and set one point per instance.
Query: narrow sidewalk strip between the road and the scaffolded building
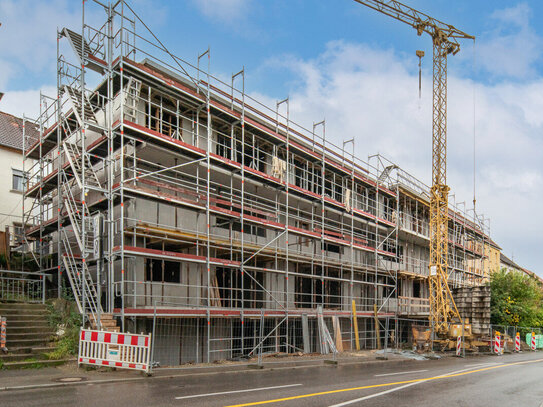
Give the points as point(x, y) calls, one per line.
point(70, 375)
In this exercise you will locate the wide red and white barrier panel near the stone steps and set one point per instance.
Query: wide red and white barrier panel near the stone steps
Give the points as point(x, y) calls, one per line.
point(126, 351)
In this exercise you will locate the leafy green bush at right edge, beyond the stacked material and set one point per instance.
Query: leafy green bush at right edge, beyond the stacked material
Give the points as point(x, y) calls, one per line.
point(517, 299)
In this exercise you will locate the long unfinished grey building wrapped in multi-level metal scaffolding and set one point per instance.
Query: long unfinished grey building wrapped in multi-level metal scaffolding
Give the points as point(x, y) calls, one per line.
point(184, 207)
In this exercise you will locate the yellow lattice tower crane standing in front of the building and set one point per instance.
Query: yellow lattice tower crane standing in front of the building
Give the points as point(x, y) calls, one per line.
point(445, 41)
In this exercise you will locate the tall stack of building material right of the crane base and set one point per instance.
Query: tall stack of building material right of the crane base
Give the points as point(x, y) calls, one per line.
point(474, 303)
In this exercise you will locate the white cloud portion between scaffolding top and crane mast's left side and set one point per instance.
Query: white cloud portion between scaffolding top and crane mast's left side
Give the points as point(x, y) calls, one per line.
point(360, 91)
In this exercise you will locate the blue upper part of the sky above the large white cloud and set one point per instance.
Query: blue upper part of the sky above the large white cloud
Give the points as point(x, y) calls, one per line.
point(252, 33)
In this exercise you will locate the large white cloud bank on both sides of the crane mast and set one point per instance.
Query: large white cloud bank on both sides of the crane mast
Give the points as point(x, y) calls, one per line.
point(370, 94)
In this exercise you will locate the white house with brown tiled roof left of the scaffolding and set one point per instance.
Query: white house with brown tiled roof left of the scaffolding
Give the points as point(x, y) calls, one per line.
point(13, 179)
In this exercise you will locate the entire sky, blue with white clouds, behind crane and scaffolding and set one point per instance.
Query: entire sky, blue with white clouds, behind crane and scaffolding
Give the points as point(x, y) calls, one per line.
point(343, 61)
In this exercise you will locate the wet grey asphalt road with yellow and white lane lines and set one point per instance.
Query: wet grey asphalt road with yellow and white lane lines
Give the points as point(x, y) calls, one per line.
point(512, 380)
